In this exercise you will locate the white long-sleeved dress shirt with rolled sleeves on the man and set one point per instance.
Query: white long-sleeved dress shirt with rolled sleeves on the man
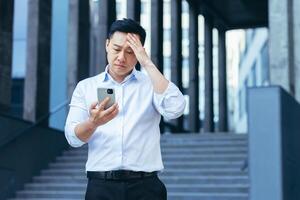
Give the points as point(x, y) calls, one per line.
point(131, 140)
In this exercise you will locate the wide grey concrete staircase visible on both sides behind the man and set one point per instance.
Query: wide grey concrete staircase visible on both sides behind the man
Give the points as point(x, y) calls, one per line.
point(197, 166)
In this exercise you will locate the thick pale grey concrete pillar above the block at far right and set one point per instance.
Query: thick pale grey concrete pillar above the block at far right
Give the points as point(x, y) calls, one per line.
point(281, 44)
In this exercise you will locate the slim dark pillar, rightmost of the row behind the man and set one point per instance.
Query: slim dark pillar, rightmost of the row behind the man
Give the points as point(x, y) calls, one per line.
point(223, 115)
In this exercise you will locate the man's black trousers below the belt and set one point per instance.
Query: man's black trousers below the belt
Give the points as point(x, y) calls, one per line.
point(147, 188)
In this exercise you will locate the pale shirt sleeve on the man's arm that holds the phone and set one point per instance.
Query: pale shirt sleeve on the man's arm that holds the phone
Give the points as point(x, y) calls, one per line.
point(78, 113)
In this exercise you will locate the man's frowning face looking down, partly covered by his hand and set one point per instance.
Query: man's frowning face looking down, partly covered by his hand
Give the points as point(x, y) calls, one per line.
point(120, 56)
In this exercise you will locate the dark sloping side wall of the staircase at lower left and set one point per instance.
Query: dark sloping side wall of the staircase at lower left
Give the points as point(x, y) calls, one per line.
point(24, 151)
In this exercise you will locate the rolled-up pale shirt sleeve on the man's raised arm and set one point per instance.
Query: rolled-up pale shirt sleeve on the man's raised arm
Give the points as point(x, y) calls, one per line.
point(171, 103)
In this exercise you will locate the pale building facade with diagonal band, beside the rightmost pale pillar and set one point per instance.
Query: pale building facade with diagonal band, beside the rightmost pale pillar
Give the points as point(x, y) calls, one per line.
point(253, 71)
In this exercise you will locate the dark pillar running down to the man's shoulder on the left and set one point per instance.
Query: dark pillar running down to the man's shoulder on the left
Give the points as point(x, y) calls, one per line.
point(78, 43)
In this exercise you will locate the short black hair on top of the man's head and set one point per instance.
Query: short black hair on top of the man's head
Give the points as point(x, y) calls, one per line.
point(127, 26)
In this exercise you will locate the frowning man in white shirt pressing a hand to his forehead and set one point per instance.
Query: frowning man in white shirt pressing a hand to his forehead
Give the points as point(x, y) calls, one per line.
point(123, 140)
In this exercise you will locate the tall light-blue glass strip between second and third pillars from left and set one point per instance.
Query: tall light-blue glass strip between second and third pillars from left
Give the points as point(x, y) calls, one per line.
point(59, 63)
